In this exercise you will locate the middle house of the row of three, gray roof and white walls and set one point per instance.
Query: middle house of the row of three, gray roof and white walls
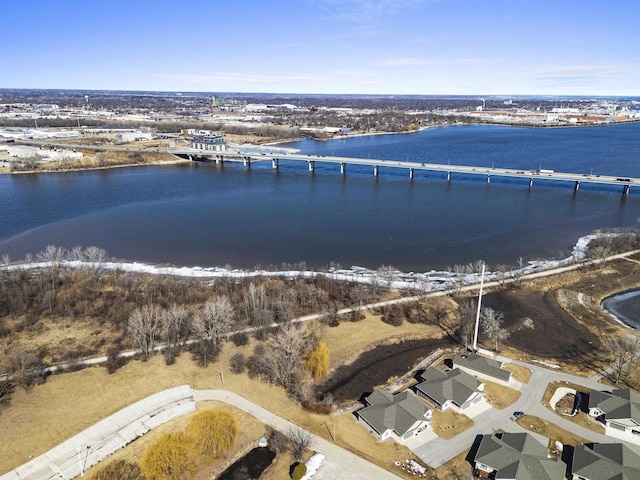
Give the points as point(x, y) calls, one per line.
point(454, 389)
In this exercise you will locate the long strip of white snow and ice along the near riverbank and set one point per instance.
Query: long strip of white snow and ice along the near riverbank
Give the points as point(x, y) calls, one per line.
point(425, 282)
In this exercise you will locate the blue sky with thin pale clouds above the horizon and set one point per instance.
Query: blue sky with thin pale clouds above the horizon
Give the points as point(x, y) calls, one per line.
point(426, 47)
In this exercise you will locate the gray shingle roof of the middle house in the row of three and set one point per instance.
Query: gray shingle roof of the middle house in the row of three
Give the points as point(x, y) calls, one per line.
point(454, 385)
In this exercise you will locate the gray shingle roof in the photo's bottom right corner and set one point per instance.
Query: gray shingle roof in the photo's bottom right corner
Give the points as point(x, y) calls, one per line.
point(606, 461)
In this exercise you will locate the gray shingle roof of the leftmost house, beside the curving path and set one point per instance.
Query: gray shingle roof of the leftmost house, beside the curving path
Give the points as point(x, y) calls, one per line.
point(396, 412)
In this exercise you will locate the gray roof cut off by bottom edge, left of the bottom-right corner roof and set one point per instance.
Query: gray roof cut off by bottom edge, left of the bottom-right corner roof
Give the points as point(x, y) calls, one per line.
point(518, 456)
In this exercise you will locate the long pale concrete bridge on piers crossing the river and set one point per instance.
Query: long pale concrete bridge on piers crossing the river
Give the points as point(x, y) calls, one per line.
point(247, 157)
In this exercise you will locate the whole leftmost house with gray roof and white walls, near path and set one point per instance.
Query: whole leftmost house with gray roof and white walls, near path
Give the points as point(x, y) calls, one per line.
point(397, 416)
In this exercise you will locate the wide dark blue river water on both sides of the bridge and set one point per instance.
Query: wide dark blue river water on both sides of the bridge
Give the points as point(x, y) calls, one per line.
point(203, 214)
